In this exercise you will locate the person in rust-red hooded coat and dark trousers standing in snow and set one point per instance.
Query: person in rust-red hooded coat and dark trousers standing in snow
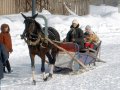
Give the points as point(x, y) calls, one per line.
point(5, 39)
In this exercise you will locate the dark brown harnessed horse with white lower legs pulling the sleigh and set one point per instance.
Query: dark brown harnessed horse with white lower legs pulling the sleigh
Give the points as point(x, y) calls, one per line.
point(38, 45)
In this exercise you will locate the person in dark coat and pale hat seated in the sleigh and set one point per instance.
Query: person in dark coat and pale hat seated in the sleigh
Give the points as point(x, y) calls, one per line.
point(75, 34)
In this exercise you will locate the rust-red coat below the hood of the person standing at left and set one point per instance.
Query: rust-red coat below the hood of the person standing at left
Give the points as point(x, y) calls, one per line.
point(5, 38)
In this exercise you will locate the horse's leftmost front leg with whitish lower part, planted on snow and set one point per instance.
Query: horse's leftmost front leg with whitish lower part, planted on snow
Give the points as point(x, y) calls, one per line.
point(32, 56)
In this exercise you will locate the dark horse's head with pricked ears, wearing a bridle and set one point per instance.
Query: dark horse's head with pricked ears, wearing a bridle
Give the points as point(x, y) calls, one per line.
point(32, 29)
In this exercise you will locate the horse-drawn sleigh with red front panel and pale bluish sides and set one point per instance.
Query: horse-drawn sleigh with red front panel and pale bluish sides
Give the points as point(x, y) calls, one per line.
point(85, 57)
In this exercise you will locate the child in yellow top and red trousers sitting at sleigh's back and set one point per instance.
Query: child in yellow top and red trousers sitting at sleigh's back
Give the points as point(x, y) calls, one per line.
point(91, 39)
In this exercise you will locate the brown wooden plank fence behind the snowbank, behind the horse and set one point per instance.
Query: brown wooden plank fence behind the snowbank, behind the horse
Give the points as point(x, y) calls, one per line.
point(80, 7)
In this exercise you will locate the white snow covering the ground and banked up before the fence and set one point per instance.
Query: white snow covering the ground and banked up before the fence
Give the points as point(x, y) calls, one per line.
point(104, 20)
